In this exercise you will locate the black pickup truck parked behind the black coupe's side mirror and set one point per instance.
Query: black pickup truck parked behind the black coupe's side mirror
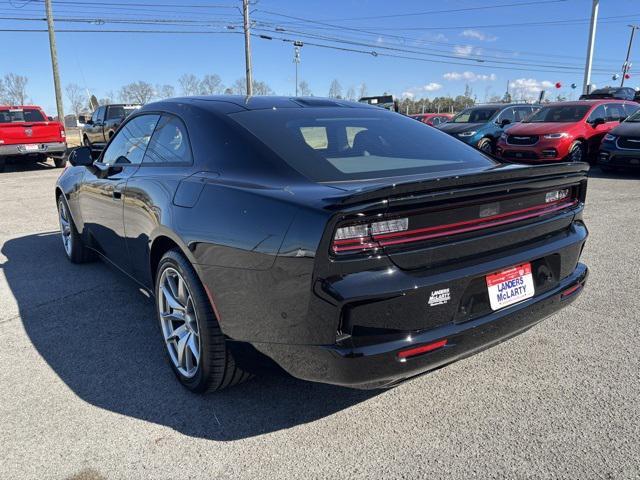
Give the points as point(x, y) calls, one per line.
point(104, 122)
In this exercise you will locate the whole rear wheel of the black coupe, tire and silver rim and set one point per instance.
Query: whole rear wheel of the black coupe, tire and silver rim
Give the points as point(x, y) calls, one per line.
point(197, 350)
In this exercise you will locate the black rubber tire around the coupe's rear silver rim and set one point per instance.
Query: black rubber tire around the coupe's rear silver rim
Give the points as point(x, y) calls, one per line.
point(217, 368)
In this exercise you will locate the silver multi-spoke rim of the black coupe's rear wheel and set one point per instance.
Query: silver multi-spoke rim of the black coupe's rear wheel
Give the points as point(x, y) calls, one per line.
point(179, 322)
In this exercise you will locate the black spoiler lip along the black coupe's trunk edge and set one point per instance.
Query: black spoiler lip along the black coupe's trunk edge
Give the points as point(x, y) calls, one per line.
point(506, 173)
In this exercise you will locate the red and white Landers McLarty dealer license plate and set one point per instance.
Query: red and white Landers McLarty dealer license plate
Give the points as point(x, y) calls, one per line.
point(510, 286)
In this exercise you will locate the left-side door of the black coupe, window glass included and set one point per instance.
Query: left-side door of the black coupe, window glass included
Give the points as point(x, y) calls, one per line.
point(101, 196)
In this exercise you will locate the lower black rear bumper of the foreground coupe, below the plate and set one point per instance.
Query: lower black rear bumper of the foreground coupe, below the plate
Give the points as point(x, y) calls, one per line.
point(377, 365)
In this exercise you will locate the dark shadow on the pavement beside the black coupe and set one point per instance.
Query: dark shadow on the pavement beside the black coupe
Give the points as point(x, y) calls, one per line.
point(98, 333)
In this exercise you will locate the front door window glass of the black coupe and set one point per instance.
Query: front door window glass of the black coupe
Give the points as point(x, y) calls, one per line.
point(130, 143)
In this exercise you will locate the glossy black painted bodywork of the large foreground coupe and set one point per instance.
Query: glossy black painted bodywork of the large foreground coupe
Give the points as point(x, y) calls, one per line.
point(258, 234)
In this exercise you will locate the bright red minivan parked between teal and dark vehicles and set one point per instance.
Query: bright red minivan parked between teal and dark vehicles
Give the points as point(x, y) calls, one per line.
point(564, 131)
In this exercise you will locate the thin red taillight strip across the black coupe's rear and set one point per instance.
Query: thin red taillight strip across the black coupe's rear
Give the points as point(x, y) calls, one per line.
point(451, 228)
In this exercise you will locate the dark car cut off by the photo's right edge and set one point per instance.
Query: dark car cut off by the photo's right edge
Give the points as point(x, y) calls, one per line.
point(624, 151)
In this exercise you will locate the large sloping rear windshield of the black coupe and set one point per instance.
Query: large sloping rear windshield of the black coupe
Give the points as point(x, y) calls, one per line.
point(339, 144)
